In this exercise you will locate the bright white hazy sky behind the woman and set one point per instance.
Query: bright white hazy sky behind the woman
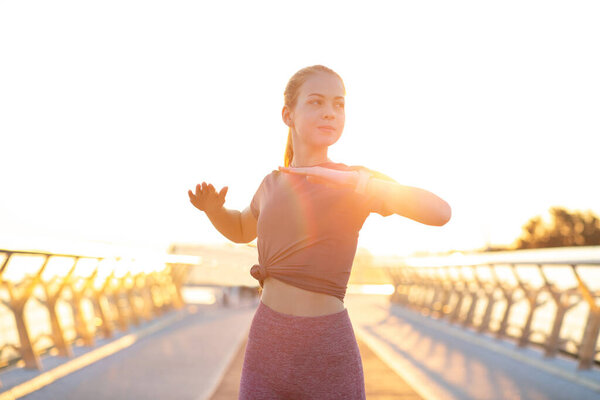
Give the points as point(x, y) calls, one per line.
point(110, 111)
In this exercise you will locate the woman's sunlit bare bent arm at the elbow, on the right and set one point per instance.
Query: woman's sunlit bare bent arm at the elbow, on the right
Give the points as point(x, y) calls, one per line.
point(410, 202)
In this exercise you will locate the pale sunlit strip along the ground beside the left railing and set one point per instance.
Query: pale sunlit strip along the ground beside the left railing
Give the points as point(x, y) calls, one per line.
point(86, 359)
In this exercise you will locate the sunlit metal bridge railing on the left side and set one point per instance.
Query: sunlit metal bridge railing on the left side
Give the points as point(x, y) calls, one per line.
point(45, 309)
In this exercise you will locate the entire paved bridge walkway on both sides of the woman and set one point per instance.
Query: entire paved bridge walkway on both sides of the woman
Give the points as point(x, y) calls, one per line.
point(192, 355)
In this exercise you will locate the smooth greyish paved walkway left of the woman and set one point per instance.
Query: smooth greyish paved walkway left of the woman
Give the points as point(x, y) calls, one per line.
point(184, 360)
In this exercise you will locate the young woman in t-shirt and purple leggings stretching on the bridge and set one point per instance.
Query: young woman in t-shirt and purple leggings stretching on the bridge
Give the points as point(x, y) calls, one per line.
point(307, 216)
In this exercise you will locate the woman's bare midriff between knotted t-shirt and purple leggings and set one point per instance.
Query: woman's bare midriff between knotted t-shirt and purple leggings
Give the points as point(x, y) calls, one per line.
point(288, 299)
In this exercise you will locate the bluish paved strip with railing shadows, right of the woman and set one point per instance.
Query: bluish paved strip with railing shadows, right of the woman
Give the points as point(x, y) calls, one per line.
point(444, 361)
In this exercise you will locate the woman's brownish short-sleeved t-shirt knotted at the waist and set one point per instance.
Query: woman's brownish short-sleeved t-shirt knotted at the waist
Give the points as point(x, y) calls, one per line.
point(308, 232)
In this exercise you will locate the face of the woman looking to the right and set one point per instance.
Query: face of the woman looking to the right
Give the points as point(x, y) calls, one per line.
point(318, 117)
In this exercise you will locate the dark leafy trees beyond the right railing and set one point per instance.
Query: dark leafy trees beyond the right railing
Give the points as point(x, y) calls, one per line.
point(564, 229)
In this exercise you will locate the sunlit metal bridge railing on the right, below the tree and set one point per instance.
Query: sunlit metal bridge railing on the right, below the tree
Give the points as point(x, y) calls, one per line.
point(550, 304)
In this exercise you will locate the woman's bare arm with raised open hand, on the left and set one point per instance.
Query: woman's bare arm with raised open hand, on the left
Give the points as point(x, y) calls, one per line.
point(239, 227)
